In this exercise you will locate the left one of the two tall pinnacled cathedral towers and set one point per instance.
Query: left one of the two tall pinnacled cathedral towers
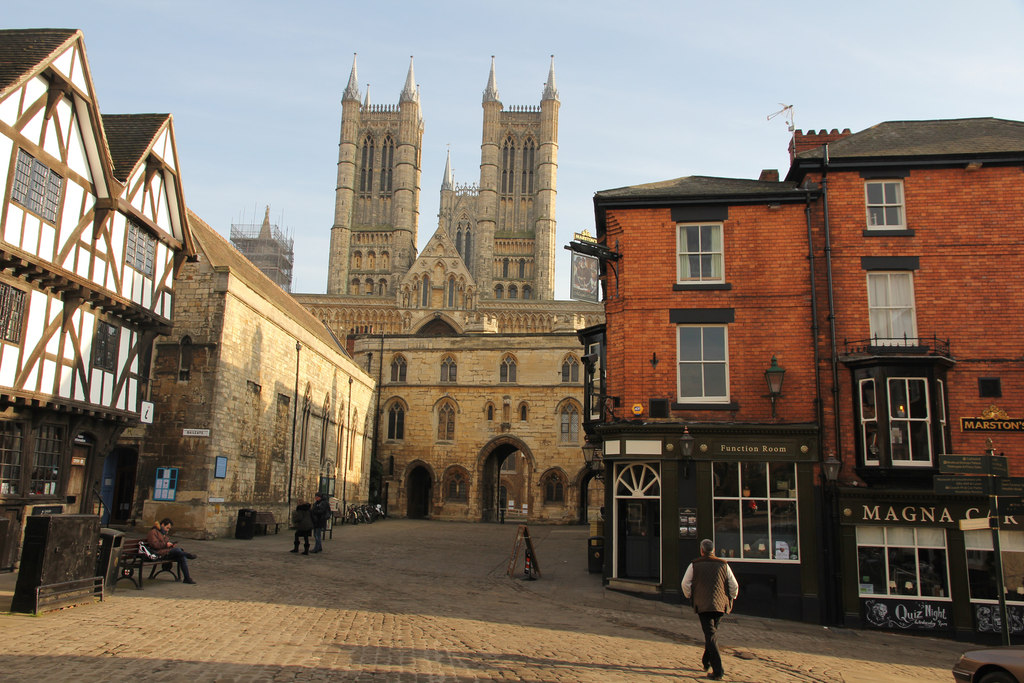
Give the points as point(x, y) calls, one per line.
point(377, 199)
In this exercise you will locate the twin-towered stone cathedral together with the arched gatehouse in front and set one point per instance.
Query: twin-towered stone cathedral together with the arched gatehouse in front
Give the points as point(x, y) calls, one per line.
point(481, 402)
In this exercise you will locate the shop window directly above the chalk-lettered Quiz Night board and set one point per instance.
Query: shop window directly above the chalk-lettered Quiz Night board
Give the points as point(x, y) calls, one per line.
point(905, 562)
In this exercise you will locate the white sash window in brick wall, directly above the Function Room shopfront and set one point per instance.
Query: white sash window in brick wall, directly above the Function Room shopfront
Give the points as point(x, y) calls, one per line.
point(704, 364)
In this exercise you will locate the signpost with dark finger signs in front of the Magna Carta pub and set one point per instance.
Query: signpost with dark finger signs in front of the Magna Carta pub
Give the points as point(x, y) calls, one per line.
point(985, 476)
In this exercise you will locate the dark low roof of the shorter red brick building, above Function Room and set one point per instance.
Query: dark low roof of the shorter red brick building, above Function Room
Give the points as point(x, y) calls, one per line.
point(699, 187)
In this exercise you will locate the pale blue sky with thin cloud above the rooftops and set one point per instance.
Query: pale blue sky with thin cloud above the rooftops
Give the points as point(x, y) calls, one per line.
point(650, 91)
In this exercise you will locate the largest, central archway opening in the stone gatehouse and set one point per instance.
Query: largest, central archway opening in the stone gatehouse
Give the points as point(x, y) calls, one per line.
point(506, 471)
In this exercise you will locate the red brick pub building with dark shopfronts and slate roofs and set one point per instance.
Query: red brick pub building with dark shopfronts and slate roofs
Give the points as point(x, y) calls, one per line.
point(881, 276)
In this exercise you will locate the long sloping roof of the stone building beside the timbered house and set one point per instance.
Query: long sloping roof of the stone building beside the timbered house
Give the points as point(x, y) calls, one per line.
point(220, 252)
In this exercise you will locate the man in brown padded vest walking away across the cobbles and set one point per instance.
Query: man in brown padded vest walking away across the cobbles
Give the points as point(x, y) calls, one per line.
point(713, 586)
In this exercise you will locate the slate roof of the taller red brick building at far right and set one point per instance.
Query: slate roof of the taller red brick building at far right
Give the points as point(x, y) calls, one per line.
point(943, 138)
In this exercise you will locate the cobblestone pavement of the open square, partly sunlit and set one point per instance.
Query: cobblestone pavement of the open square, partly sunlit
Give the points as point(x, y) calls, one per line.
point(408, 601)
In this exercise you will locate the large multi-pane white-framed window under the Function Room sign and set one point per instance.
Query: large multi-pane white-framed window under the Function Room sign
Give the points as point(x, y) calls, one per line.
point(756, 510)
